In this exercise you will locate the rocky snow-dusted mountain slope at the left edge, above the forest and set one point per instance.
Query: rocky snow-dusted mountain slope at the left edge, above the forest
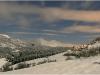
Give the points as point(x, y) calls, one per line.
point(6, 41)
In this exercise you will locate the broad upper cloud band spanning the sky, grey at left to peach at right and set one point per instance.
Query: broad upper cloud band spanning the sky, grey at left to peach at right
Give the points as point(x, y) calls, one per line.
point(13, 11)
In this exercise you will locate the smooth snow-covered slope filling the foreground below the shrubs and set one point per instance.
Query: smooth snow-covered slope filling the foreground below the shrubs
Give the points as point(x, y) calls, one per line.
point(77, 66)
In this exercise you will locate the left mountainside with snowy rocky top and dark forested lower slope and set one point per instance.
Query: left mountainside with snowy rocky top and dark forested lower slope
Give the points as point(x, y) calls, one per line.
point(15, 50)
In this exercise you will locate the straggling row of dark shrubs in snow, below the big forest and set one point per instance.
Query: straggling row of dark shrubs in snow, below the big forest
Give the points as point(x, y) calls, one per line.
point(7, 66)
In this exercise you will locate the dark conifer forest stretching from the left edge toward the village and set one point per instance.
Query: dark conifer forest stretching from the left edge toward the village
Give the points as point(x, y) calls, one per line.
point(30, 53)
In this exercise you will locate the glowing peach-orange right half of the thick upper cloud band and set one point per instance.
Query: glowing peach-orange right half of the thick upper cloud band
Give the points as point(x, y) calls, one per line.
point(77, 15)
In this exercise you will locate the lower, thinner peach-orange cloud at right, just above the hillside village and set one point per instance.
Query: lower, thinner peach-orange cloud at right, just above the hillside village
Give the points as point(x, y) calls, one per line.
point(81, 28)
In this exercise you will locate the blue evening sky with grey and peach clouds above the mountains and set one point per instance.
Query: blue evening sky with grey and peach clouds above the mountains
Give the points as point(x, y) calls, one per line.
point(66, 23)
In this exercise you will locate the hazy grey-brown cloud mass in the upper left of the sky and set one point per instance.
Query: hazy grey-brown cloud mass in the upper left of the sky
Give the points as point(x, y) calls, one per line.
point(13, 12)
